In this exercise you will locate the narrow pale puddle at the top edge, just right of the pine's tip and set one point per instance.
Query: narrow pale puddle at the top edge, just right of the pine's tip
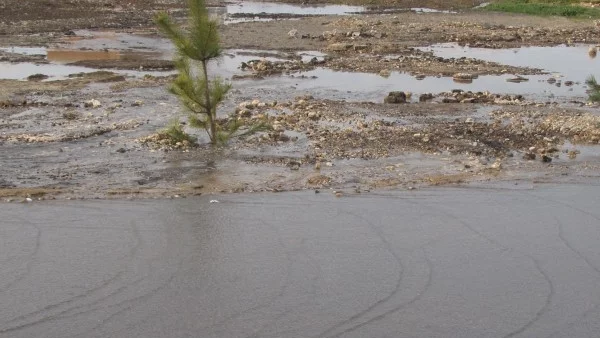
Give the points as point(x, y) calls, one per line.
point(250, 7)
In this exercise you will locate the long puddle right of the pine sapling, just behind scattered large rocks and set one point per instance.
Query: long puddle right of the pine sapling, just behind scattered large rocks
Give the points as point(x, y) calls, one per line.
point(371, 87)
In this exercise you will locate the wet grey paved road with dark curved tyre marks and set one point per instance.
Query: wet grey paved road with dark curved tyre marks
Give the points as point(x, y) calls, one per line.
point(430, 263)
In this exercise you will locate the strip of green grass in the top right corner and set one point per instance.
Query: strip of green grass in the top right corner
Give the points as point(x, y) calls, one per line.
point(566, 8)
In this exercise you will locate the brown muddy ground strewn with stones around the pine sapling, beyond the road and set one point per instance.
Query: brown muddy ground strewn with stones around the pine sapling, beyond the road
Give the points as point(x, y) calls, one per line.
point(55, 142)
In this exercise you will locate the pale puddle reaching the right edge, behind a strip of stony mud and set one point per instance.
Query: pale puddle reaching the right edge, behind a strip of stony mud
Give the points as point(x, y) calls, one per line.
point(572, 62)
